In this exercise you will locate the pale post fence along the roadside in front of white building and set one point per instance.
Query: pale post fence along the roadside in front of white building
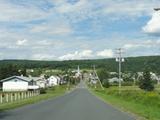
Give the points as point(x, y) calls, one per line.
point(7, 97)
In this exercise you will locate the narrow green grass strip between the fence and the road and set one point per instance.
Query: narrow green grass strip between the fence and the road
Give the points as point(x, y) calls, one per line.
point(52, 92)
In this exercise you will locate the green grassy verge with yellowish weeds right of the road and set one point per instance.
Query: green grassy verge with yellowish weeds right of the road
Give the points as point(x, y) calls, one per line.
point(145, 104)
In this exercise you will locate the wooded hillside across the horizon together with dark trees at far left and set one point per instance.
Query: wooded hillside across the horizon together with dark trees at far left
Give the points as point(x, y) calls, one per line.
point(131, 64)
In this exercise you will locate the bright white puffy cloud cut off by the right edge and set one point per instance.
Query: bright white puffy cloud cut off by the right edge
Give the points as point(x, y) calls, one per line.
point(153, 25)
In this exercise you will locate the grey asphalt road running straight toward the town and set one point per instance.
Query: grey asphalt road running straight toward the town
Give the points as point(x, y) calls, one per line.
point(79, 104)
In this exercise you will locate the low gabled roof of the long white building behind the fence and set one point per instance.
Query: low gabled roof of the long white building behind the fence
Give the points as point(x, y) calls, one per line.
point(27, 79)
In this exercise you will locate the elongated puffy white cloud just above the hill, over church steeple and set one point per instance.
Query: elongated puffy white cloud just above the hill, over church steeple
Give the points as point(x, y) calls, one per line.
point(85, 54)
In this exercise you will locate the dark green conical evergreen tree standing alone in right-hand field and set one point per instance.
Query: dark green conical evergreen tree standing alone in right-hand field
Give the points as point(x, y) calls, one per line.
point(146, 81)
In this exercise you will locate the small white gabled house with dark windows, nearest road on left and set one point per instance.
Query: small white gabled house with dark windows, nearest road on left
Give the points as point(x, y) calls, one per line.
point(53, 81)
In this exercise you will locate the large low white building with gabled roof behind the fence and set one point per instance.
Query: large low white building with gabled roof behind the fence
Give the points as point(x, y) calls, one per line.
point(18, 83)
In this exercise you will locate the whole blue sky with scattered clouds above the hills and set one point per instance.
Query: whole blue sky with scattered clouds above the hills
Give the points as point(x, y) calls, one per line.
point(78, 29)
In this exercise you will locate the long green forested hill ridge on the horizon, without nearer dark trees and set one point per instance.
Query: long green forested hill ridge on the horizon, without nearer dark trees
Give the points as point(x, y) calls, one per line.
point(130, 64)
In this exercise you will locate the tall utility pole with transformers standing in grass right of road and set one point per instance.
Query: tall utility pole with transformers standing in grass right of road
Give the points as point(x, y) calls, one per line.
point(119, 59)
